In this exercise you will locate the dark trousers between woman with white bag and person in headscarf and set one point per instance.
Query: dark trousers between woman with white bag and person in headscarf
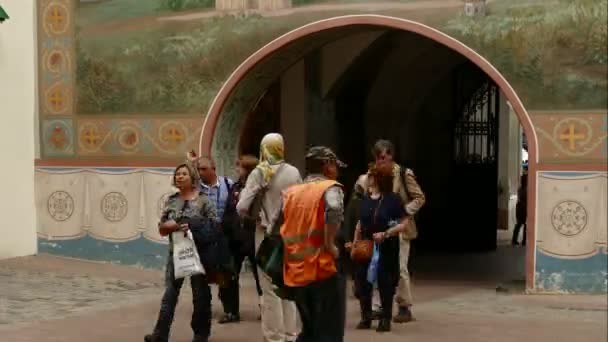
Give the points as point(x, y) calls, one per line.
point(229, 294)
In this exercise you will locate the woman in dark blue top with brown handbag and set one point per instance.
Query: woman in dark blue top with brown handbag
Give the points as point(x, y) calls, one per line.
point(378, 227)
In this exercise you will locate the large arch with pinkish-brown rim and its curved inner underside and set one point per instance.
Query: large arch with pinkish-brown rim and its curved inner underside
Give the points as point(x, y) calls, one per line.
point(237, 93)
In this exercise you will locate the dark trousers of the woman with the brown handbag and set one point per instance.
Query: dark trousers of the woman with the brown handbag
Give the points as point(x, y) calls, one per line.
point(364, 291)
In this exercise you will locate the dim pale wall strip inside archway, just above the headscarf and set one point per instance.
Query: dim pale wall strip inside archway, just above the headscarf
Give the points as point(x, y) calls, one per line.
point(293, 115)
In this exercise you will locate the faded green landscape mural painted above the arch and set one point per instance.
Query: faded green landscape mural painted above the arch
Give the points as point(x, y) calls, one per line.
point(120, 42)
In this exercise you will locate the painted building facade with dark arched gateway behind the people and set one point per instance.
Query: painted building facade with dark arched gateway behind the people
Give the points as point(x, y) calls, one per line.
point(121, 95)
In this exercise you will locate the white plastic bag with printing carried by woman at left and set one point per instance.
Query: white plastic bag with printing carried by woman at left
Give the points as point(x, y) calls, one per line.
point(186, 261)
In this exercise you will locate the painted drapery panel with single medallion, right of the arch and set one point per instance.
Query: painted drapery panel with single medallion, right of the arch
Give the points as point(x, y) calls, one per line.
point(571, 232)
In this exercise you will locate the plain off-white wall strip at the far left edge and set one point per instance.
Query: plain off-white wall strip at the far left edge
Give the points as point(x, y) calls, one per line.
point(18, 98)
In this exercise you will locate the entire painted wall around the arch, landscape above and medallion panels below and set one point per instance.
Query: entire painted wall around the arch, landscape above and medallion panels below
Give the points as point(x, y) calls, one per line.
point(131, 80)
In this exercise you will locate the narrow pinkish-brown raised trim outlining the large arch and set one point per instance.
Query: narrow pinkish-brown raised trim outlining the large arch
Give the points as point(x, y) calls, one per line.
point(215, 110)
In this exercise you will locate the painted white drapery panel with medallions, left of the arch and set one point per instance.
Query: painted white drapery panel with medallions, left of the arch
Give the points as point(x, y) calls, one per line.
point(107, 214)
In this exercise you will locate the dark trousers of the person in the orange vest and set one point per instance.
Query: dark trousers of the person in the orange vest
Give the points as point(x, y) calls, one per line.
point(322, 308)
